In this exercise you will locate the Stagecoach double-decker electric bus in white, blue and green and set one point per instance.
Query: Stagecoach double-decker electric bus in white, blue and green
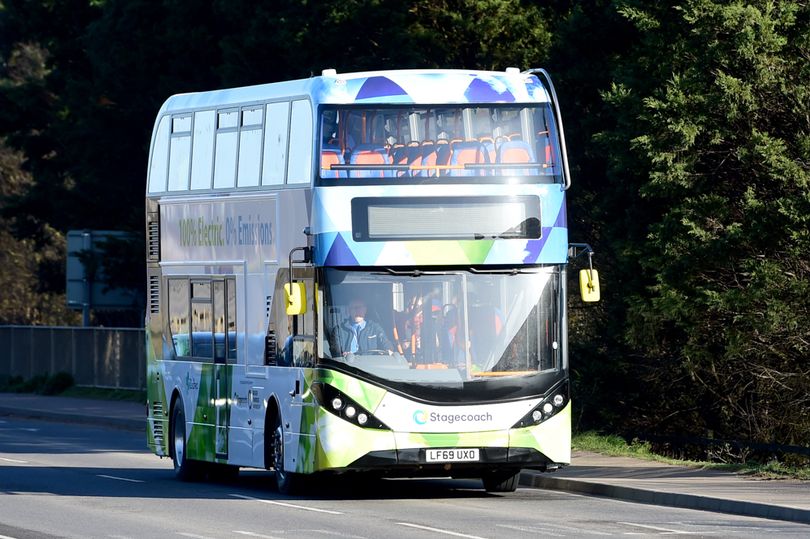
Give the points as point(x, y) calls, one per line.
point(360, 272)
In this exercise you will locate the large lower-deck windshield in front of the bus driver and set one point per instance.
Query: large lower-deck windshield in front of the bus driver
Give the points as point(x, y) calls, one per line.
point(444, 328)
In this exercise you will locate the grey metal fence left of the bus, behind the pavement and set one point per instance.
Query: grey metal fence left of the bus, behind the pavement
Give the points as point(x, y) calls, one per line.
point(96, 357)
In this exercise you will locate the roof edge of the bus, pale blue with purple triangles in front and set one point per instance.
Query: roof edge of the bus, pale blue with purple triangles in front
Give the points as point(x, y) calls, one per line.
point(423, 86)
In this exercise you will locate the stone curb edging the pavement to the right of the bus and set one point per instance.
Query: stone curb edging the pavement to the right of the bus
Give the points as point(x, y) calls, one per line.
point(668, 499)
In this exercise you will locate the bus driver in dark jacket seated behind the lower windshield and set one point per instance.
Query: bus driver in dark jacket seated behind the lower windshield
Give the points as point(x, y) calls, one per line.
point(358, 335)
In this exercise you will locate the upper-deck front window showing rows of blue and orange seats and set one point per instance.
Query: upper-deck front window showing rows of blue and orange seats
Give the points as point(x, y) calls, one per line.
point(418, 142)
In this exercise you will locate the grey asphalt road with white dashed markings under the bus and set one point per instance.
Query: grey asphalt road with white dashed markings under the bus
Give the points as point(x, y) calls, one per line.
point(63, 480)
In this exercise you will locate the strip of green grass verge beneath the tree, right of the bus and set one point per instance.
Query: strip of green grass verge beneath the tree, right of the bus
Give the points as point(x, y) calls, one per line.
point(617, 446)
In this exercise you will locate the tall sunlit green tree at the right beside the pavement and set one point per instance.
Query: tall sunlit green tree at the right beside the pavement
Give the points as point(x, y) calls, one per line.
point(713, 102)
